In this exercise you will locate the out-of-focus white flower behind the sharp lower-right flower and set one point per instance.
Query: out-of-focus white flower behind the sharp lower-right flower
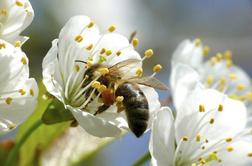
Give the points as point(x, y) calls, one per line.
point(217, 72)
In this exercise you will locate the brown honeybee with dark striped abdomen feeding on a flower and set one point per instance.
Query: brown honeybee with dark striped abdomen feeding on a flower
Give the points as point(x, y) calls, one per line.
point(125, 92)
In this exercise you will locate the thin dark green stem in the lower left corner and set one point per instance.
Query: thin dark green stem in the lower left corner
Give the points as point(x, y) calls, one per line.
point(14, 152)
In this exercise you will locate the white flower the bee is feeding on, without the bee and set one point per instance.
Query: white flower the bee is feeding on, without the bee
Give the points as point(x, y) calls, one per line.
point(63, 76)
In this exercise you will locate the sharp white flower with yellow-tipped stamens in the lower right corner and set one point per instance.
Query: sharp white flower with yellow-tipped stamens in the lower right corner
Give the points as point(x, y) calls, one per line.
point(209, 129)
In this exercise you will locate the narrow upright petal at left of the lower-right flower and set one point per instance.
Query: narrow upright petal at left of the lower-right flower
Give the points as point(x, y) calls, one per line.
point(162, 141)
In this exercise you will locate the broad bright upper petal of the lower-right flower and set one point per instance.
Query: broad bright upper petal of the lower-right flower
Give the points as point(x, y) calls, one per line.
point(190, 121)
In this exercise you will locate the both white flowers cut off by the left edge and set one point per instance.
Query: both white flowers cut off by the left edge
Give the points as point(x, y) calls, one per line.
point(18, 92)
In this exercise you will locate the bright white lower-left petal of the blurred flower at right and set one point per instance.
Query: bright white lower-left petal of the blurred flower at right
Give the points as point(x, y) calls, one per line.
point(183, 80)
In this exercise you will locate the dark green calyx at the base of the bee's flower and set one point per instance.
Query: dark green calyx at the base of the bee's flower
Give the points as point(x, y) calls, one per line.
point(56, 113)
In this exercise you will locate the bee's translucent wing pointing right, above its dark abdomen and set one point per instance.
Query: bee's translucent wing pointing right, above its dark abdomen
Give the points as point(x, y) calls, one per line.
point(149, 81)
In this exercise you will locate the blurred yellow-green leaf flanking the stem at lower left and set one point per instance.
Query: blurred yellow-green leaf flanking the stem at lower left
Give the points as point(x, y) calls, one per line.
point(42, 138)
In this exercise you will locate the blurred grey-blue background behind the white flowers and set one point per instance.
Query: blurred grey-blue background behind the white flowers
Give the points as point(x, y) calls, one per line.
point(161, 25)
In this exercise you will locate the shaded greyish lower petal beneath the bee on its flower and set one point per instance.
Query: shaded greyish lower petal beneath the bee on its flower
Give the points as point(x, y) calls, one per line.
point(94, 125)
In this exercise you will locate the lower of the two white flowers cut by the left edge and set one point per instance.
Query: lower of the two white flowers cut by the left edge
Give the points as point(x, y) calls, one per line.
point(18, 92)
